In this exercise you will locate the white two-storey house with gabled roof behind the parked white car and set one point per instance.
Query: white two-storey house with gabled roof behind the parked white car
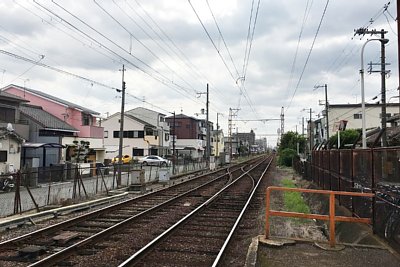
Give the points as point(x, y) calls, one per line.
point(140, 138)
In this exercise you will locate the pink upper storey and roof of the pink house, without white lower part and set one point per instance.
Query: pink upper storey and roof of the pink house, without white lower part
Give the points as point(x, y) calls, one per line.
point(81, 118)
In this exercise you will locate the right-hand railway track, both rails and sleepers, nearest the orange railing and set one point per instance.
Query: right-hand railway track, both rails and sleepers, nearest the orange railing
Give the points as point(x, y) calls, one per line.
point(201, 238)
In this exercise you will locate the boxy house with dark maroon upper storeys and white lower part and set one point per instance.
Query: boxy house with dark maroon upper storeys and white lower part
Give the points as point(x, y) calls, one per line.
point(190, 134)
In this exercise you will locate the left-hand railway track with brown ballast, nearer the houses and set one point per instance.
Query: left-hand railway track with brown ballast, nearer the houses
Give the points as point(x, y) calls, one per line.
point(111, 235)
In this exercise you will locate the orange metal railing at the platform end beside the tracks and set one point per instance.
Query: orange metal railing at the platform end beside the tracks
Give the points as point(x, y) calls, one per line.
point(332, 218)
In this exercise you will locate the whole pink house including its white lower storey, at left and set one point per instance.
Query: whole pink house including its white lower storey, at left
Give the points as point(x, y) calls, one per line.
point(80, 118)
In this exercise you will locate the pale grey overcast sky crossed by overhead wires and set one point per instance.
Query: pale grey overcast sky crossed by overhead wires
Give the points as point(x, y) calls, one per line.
point(254, 62)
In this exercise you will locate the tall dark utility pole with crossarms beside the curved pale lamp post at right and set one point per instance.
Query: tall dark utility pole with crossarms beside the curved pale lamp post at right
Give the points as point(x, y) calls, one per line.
point(363, 31)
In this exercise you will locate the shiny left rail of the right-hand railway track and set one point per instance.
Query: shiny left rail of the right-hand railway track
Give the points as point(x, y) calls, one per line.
point(141, 253)
